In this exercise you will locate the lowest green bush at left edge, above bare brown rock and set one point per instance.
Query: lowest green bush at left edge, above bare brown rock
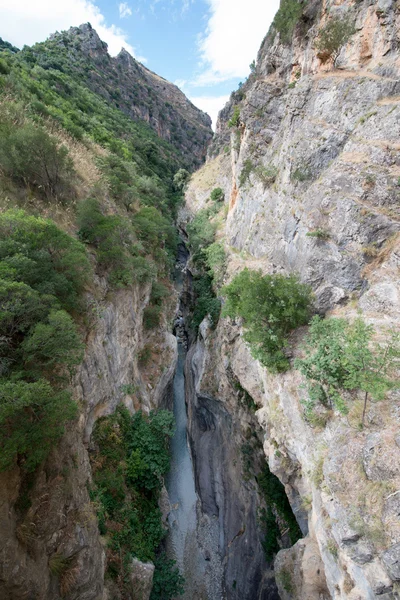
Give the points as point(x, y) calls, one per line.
point(32, 419)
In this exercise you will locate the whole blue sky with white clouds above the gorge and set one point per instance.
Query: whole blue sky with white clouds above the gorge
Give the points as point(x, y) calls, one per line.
point(204, 46)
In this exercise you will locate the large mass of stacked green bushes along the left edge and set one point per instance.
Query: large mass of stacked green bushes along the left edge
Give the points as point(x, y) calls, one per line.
point(42, 274)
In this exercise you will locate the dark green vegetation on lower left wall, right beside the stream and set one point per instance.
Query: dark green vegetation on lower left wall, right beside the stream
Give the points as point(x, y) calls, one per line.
point(130, 459)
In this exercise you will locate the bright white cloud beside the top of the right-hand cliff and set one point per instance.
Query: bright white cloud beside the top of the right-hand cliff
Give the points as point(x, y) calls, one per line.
point(232, 38)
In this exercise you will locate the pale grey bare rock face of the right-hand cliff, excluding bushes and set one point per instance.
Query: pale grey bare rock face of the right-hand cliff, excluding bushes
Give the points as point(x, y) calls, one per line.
point(309, 145)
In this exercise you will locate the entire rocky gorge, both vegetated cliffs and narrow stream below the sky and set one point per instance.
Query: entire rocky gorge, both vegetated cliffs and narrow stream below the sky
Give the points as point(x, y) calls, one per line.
point(272, 492)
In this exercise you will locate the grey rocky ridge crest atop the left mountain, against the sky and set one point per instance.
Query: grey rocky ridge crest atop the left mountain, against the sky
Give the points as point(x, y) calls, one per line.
point(138, 92)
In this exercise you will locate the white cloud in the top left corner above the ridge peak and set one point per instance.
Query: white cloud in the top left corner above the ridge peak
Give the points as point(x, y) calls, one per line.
point(26, 22)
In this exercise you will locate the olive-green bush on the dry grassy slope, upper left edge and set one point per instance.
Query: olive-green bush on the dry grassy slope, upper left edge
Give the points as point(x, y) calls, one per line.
point(28, 154)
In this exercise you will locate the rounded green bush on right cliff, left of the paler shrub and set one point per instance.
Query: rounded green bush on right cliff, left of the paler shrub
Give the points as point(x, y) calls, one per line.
point(271, 306)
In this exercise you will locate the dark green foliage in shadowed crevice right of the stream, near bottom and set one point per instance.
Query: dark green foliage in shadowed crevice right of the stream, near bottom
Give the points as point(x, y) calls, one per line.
point(277, 505)
